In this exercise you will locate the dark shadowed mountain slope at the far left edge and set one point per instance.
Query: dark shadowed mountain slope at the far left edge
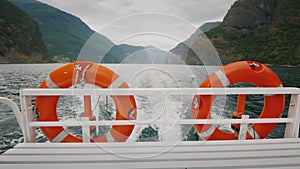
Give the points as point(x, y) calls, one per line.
point(20, 37)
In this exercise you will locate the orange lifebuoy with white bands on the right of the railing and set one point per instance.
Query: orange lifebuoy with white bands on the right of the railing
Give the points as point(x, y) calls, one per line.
point(244, 71)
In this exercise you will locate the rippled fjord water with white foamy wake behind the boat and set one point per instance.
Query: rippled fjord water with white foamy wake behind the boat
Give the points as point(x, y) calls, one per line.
point(14, 77)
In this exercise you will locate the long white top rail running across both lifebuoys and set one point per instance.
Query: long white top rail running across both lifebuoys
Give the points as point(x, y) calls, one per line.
point(167, 91)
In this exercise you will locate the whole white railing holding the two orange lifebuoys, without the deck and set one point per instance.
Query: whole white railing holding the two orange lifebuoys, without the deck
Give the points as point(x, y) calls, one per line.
point(28, 124)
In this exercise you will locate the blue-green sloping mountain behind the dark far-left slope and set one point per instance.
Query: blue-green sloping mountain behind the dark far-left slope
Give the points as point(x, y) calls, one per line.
point(65, 34)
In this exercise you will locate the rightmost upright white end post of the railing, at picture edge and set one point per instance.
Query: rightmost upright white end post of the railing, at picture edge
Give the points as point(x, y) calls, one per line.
point(292, 129)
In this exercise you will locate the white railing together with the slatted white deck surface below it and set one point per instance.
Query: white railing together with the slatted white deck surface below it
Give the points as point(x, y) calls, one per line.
point(283, 153)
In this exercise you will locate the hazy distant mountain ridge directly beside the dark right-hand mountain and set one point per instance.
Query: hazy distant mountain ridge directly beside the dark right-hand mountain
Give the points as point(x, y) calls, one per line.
point(183, 48)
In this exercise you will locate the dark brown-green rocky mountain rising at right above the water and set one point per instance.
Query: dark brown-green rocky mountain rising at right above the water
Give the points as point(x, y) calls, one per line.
point(262, 30)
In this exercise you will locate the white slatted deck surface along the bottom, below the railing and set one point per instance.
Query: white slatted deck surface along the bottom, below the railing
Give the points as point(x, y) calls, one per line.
point(275, 153)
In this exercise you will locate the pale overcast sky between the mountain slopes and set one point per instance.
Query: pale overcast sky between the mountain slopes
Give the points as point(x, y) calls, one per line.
point(160, 23)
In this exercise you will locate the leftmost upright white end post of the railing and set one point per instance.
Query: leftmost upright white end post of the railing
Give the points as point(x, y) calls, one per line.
point(26, 108)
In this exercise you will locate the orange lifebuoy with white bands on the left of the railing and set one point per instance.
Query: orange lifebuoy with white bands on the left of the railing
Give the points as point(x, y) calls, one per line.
point(90, 73)
